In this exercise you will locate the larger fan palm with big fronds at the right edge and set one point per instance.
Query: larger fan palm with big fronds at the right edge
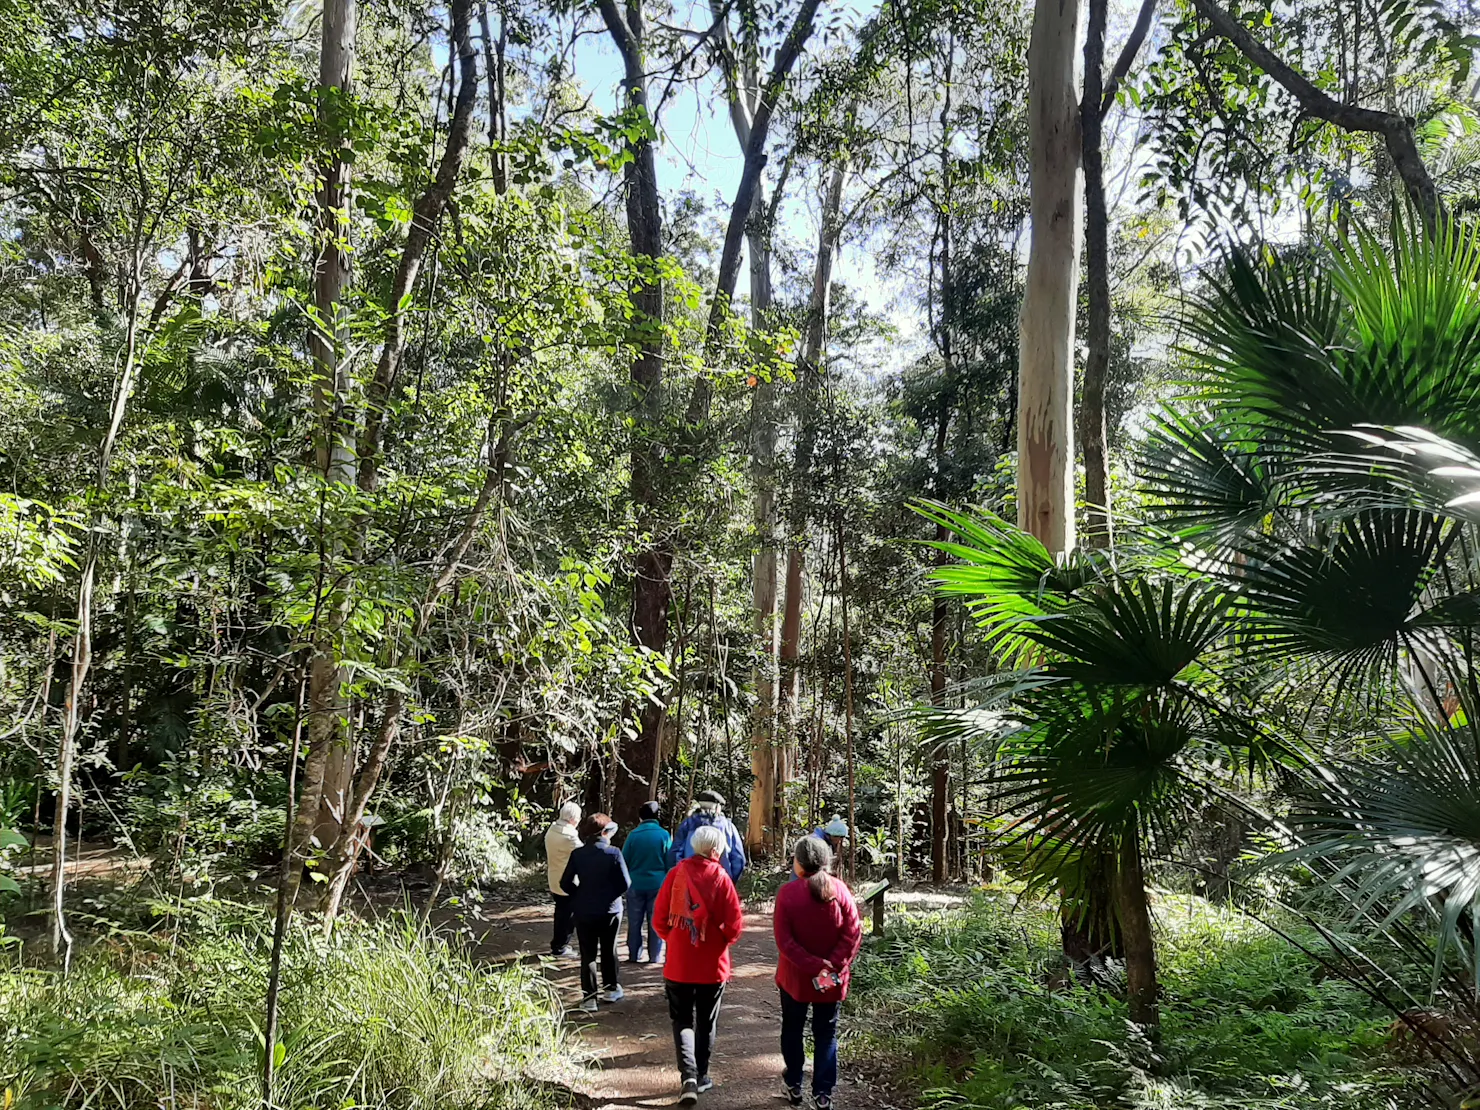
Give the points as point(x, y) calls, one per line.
point(1333, 497)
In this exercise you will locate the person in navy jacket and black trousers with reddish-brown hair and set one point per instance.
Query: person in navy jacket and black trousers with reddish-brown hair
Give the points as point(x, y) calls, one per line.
point(597, 883)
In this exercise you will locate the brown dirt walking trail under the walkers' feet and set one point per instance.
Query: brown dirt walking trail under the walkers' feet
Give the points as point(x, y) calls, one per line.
point(631, 1043)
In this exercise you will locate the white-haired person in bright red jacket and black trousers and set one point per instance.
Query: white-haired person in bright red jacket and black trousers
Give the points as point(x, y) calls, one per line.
point(699, 917)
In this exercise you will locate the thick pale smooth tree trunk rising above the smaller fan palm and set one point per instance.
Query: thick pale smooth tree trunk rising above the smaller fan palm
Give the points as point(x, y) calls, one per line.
point(1047, 326)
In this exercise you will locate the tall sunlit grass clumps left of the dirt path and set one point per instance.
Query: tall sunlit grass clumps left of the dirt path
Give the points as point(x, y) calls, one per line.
point(383, 1016)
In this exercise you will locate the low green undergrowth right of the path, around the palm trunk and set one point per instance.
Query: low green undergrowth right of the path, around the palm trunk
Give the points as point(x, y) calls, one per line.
point(972, 1004)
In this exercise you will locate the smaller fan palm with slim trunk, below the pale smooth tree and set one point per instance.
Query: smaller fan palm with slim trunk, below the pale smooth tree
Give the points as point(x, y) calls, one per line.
point(1121, 729)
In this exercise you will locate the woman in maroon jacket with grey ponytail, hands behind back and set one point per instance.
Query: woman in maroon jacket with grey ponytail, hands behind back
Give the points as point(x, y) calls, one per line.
point(818, 938)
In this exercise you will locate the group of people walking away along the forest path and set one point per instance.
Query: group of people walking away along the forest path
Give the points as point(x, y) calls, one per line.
point(684, 915)
